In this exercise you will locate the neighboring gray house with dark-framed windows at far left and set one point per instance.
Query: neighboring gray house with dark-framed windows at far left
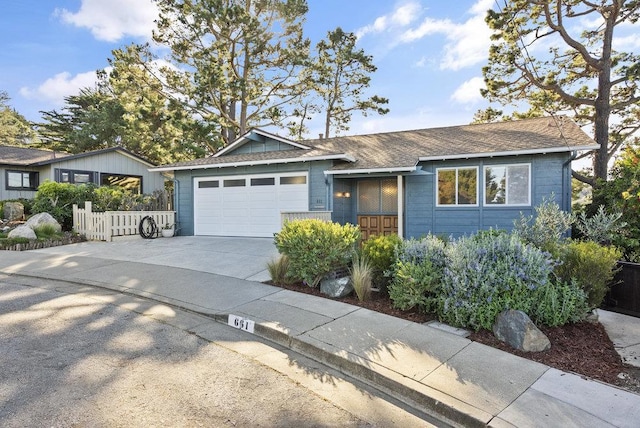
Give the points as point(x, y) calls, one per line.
point(23, 169)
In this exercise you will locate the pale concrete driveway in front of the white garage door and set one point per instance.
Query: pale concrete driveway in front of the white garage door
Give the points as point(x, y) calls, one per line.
point(243, 258)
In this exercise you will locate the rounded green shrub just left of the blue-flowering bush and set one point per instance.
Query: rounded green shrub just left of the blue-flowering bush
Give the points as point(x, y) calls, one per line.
point(414, 284)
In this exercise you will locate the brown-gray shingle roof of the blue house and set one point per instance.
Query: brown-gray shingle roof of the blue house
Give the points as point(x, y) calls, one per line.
point(404, 149)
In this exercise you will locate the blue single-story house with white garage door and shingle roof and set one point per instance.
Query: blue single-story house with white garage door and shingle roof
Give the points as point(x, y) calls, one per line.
point(446, 181)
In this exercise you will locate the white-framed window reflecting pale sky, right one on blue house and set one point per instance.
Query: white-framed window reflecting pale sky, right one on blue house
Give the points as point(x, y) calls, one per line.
point(507, 184)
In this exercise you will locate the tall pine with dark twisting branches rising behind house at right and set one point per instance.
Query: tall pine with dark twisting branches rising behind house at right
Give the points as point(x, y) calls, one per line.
point(564, 70)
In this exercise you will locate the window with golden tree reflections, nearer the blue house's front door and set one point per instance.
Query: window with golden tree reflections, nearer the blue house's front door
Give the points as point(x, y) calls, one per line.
point(457, 186)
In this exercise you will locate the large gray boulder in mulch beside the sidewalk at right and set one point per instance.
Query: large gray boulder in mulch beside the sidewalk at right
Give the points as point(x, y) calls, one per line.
point(517, 329)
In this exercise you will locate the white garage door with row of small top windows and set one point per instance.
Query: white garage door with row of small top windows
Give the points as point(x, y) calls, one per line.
point(247, 205)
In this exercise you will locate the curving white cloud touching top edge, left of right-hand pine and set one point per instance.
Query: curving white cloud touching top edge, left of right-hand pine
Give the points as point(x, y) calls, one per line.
point(467, 43)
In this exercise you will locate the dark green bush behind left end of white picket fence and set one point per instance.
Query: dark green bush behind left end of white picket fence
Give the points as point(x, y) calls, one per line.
point(57, 199)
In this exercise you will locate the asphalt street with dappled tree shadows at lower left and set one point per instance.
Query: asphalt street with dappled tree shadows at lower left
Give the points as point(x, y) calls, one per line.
point(72, 360)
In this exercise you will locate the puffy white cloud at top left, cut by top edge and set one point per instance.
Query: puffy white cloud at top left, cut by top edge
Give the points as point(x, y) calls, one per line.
point(112, 20)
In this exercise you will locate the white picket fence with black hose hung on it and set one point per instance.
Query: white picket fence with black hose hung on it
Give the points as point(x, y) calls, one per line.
point(103, 226)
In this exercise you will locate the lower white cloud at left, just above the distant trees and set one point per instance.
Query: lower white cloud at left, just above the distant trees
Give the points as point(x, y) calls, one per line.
point(54, 89)
